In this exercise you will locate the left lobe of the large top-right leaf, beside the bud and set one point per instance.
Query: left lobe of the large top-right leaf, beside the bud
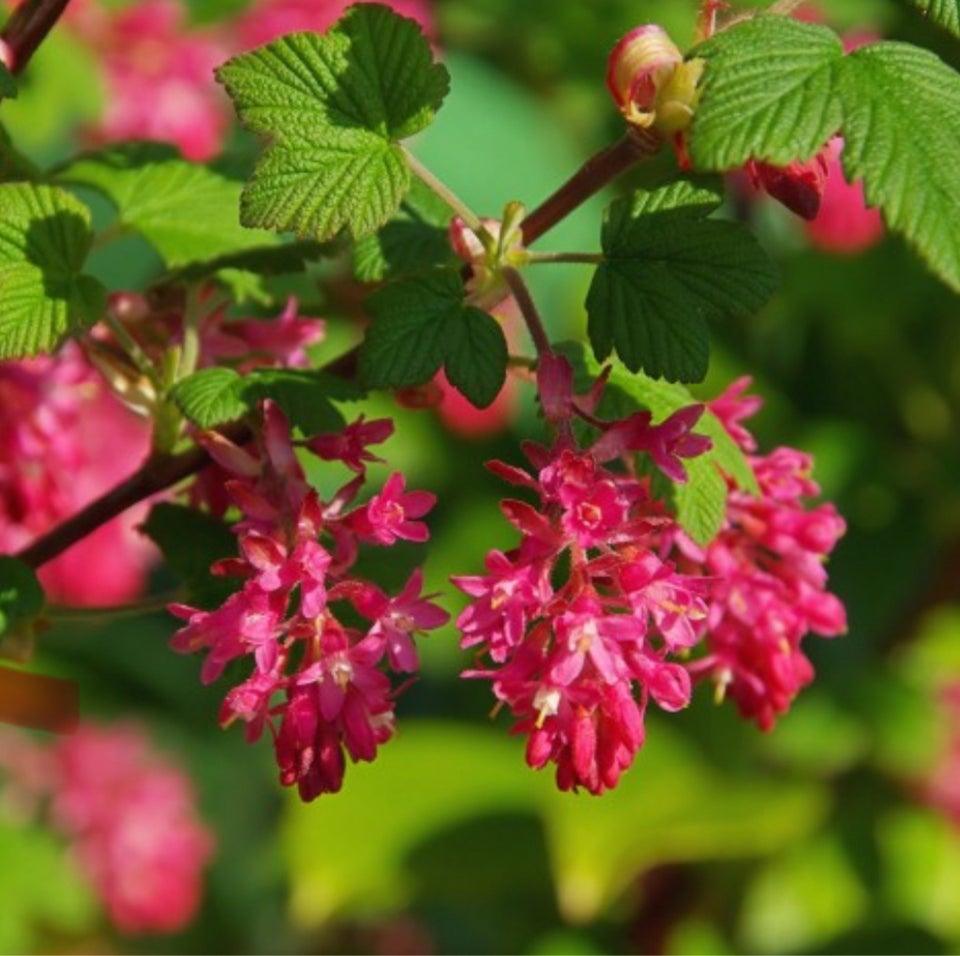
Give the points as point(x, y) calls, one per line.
point(768, 92)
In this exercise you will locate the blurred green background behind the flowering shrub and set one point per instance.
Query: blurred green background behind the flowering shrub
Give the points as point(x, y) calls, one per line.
point(815, 838)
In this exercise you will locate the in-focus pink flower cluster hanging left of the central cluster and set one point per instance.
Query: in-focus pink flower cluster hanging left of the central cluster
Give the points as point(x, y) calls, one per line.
point(334, 695)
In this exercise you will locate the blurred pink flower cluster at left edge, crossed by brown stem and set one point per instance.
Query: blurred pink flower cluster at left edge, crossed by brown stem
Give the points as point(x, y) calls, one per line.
point(55, 414)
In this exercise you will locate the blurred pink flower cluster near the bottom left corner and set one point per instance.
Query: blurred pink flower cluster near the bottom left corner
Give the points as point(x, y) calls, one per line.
point(130, 816)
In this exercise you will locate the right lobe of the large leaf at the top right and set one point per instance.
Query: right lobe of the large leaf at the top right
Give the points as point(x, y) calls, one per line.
point(902, 137)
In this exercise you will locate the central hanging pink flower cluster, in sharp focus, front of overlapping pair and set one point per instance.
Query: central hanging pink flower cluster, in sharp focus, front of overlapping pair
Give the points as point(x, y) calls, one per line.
point(581, 622)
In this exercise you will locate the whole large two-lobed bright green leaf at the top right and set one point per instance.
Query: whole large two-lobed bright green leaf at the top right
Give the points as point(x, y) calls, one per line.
point(777, 90)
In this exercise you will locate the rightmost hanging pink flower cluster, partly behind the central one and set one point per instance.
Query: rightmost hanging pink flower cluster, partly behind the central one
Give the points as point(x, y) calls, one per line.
point(767, 565)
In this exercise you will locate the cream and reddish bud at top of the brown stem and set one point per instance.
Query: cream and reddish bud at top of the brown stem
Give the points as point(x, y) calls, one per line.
point(650, 82)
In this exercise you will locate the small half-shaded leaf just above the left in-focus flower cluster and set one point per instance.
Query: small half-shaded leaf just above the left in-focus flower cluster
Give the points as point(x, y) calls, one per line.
point(216, 396)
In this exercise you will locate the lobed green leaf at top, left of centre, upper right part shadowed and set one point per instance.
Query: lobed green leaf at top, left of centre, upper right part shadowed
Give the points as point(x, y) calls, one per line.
point(332, 109)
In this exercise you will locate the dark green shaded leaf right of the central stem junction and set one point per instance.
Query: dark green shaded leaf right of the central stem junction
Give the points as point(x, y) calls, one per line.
point(666, 271)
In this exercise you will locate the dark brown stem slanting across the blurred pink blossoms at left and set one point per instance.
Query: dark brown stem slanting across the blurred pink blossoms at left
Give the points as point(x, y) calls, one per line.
point(158, 473)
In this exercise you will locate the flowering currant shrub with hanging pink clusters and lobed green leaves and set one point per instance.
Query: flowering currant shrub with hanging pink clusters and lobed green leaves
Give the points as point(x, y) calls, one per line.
point(650, 550)
